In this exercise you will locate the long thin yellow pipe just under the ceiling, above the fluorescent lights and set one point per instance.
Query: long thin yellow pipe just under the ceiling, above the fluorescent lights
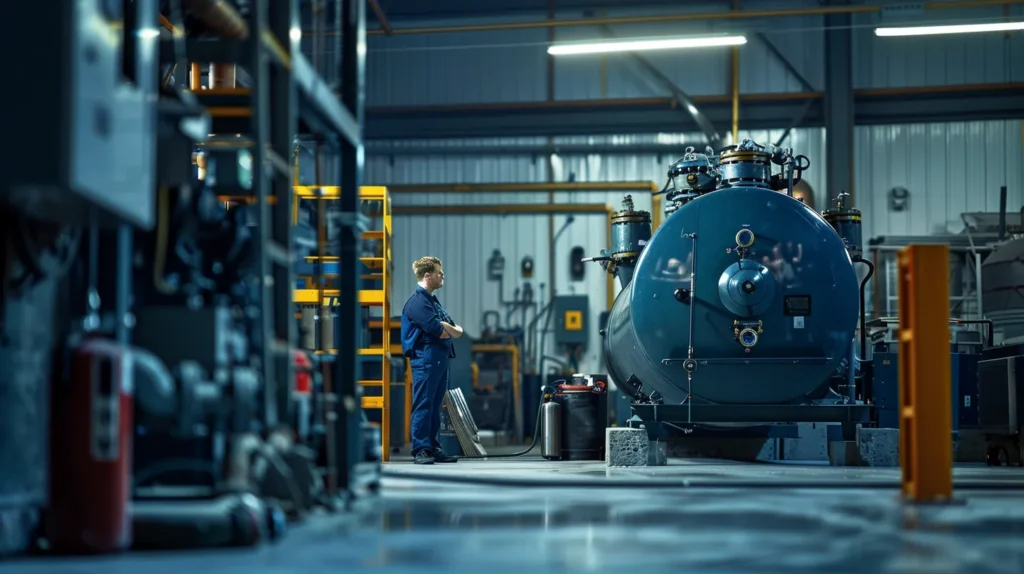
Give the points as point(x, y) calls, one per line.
point(697, 17)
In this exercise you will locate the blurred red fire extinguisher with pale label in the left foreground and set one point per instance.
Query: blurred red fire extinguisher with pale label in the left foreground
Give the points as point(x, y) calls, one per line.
point(92, 448)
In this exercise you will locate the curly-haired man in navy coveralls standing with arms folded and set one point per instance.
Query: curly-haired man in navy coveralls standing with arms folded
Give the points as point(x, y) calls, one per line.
point(428, 332)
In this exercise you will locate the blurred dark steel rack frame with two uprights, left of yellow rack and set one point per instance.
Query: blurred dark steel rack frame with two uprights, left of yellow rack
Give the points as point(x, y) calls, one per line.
point(288, 98)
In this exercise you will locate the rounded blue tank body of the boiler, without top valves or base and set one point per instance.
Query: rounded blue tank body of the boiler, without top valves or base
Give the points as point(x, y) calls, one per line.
point(759, 283)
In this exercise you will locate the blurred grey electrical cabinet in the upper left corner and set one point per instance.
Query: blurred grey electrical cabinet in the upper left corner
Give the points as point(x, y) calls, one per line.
point(83, 136)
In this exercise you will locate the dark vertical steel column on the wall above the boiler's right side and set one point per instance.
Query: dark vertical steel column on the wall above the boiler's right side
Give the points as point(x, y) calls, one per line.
point(839, 97)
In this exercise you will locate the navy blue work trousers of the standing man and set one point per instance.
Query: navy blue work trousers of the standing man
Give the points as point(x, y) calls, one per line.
point(431, 380)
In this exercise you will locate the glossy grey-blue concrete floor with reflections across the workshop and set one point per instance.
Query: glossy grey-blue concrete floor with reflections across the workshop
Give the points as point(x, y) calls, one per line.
point(617, 521)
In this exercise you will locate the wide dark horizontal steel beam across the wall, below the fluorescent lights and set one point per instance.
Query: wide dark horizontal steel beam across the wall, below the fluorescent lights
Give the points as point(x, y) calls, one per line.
point(607, 117)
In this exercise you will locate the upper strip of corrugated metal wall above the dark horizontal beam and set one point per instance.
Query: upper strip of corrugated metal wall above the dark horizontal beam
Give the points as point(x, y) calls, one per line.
point(510, 66)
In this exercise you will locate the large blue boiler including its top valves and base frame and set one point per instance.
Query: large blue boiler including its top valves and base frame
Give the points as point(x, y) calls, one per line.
point(743, 306)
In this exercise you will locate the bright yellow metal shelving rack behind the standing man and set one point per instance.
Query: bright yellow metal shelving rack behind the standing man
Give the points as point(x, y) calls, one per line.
point(378, 272)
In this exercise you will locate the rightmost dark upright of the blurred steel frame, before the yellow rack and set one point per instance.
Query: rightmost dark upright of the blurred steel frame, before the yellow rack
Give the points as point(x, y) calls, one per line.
point(348, 370)
